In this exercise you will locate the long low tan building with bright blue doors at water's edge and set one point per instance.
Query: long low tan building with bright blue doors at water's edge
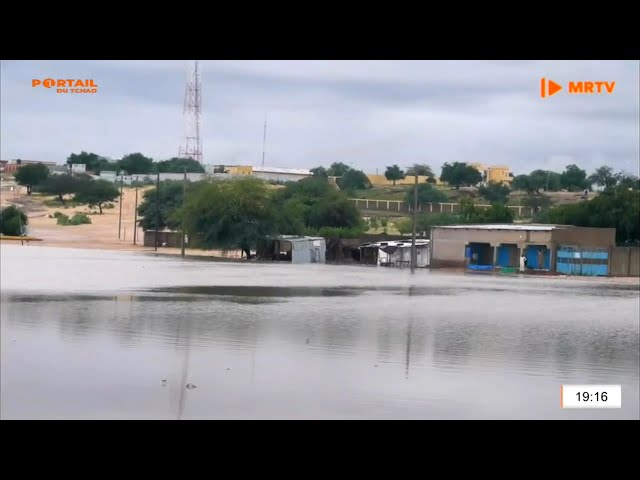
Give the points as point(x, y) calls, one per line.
point(551, 248)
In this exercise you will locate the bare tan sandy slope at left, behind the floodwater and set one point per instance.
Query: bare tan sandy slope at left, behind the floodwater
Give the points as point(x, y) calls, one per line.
point(101, 234)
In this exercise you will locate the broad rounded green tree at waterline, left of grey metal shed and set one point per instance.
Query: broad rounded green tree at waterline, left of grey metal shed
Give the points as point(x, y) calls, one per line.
point(229, 214)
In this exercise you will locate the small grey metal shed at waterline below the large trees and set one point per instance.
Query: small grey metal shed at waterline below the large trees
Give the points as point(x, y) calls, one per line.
point(292, 248)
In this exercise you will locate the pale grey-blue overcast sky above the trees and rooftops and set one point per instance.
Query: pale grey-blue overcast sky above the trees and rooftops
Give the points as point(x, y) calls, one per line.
point(366, 113)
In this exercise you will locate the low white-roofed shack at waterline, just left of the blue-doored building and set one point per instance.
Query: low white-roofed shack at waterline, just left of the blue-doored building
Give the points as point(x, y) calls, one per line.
point(395, 253)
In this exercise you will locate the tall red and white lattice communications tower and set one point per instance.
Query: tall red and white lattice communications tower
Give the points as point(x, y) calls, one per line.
point(192, 147)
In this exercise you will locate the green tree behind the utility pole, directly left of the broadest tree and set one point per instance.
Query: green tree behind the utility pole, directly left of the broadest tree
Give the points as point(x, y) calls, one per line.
point(169, 200)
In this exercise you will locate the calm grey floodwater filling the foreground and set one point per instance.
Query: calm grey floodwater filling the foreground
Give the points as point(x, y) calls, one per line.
point(112, 335)
